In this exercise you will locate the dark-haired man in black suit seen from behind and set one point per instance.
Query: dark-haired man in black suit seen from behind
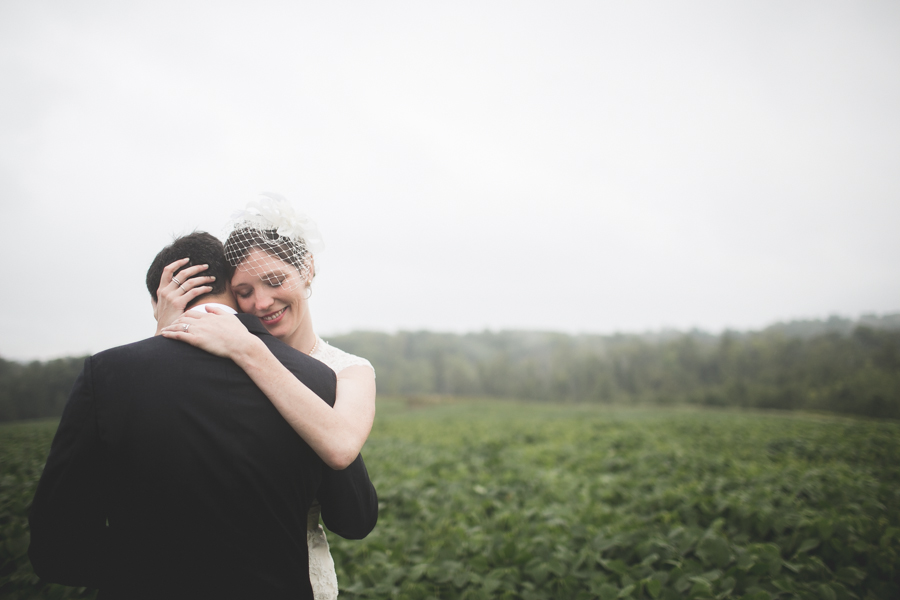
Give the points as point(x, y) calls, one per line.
point(173, 476)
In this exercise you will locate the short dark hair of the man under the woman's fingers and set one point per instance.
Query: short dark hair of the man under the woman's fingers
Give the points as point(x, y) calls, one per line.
point(203, 249)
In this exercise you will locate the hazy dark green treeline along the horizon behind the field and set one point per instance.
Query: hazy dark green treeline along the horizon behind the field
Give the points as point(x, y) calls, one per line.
point(836, 365)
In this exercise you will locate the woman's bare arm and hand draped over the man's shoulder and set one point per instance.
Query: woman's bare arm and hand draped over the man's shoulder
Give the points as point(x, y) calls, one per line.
point(337, 433)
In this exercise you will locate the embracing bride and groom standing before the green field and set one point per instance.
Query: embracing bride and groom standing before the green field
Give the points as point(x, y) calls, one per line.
point(197, 463)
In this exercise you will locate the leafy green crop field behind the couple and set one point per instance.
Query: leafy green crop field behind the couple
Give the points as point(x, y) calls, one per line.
point(497, 499)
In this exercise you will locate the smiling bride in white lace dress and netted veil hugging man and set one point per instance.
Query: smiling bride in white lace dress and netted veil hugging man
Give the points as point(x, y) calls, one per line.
point(271, 248)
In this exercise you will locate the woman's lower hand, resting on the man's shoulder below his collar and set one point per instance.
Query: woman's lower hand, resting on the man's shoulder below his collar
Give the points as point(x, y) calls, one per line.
point(218, 332)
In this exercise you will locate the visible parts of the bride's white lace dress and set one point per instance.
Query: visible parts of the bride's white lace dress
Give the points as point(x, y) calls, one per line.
point(321, 566)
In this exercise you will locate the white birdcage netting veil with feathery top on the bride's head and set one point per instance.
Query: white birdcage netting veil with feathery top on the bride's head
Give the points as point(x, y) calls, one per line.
point(273, 226)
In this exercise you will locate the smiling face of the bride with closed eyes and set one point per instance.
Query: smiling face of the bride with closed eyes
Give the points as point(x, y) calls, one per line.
point(276, 295)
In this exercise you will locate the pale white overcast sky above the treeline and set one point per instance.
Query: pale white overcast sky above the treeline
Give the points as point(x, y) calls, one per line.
point(570, 166)
